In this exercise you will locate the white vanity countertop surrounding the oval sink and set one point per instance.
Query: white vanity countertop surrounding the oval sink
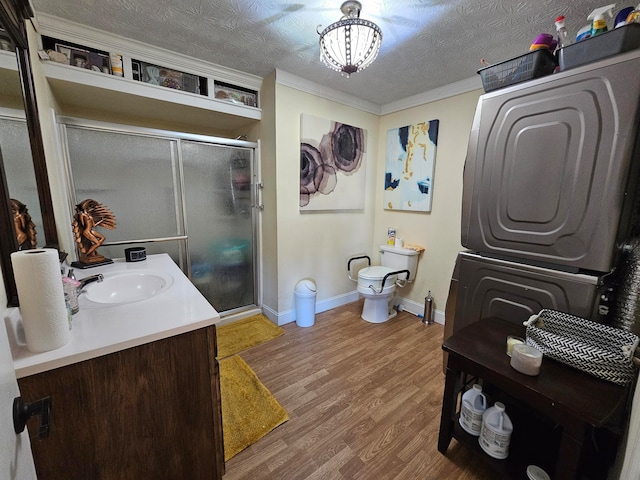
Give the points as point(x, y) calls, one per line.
point(100, 330)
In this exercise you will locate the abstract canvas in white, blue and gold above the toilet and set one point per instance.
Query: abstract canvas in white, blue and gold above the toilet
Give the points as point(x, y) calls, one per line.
point(411, 160)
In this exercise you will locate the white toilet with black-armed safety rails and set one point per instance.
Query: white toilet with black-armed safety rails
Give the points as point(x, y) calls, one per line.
point(377, 284)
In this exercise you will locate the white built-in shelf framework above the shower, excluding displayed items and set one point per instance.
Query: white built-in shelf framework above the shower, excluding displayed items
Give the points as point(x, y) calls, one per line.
point(76, 90)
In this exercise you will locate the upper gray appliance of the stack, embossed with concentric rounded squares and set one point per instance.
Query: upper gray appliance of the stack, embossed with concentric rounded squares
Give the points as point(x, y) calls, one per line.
point(551, 169)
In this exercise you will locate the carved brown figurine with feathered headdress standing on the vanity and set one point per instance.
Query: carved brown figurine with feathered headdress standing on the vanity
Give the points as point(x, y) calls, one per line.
point(89, 215)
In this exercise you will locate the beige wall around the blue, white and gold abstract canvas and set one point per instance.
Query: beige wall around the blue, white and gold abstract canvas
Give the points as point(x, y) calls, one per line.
point(439, 230)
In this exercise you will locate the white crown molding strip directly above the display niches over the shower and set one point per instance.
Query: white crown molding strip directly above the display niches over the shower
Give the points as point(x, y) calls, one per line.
point(56, 27)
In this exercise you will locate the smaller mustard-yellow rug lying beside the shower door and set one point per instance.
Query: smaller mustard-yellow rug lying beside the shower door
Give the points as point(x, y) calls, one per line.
point(238, 336)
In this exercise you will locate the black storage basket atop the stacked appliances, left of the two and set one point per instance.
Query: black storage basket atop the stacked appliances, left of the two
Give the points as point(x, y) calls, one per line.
point(525, 67)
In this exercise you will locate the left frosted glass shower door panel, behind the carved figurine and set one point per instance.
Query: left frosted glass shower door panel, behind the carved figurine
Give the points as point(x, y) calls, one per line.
point(136, 177)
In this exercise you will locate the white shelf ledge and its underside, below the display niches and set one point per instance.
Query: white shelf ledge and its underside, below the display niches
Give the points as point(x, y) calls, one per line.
point(85, 89)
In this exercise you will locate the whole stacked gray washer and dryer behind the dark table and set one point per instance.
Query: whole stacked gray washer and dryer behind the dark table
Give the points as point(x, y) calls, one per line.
point(550, 202)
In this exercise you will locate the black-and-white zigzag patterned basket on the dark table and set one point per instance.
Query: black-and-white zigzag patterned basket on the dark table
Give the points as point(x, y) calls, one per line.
point(599, 350)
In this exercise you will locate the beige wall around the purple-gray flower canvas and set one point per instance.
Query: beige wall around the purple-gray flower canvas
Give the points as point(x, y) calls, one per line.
point(316, 245)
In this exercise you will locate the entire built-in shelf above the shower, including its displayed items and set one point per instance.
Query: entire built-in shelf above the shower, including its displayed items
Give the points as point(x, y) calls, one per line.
point(91, 69)
